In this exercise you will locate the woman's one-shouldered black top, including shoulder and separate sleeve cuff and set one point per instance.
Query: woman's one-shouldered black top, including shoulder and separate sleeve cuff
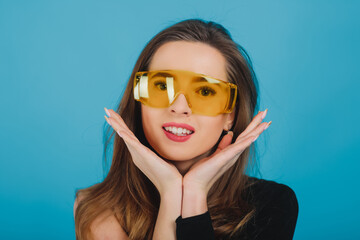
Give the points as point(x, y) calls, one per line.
point(275, 218)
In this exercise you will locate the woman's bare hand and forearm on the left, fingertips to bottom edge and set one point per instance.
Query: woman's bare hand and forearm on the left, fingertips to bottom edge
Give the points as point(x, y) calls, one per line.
point(162, 174)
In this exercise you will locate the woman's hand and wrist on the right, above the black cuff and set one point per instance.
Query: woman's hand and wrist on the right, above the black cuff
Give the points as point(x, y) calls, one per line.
point(203, 174)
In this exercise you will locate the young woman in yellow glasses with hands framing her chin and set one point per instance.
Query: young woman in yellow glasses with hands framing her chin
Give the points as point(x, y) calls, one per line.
point(184, 132)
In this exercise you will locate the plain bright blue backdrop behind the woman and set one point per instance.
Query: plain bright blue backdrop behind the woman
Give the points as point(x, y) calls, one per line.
point(61, 62)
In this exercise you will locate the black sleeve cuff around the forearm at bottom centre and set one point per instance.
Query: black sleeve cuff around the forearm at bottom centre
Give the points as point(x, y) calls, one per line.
point(197, 227)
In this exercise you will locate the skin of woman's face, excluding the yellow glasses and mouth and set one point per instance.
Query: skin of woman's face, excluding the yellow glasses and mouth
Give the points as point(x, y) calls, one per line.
point(196, 57)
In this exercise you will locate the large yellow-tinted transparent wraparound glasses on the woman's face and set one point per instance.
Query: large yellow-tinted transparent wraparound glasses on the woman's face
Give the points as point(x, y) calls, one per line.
point(205, 95)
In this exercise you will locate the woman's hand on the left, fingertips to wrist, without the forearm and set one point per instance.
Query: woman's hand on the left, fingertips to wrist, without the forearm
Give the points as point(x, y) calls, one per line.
point(162, 174)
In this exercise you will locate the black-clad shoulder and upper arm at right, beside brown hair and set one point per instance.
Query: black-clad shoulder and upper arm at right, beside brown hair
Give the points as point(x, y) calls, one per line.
point(276, 209)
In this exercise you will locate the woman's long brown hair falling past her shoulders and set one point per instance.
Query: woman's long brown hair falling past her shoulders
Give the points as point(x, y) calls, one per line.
point(128, 193)
